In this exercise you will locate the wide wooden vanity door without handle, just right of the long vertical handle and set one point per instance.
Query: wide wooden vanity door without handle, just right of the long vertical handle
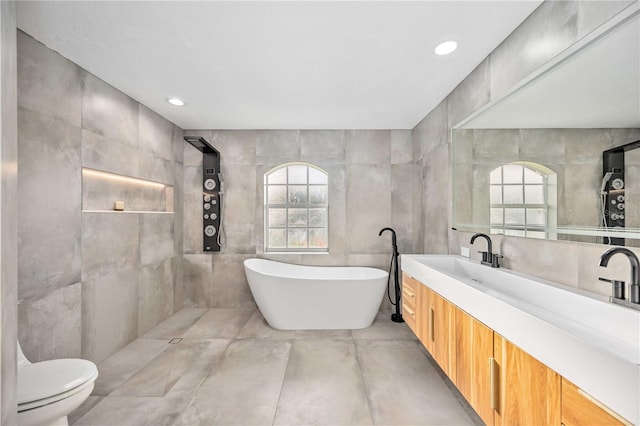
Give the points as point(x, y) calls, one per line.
point(529, 390)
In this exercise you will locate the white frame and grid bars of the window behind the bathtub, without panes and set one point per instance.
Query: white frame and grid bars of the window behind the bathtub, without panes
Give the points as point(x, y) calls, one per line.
point(289, 205)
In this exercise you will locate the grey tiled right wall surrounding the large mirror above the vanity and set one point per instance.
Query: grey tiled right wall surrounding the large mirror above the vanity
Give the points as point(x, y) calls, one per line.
point(571, 263)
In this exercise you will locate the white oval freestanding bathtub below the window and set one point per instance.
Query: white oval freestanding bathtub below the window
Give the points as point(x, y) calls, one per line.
point(297, 297)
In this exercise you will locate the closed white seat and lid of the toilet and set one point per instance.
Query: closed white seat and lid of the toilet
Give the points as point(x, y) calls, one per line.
point(46, 382)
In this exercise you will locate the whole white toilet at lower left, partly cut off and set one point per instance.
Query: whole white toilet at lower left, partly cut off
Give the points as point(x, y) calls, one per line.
point(48, 391)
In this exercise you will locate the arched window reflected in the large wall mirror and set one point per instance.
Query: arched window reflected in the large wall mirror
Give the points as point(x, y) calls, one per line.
point(523, 200)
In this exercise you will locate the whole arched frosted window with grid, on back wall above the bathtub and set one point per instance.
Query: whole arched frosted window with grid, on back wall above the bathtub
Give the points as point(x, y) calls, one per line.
point(296, 208)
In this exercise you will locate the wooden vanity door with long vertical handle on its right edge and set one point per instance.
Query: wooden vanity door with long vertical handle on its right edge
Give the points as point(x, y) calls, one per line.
point(474, 350)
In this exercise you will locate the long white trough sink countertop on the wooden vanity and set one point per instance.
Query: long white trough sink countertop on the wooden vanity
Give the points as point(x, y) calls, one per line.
point(593, 343)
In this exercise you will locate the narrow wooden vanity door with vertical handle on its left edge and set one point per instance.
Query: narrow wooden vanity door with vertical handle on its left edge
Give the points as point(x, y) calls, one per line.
point(442, 333)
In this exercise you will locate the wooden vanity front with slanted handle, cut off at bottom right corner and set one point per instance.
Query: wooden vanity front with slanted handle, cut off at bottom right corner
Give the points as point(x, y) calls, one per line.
point(578, 409)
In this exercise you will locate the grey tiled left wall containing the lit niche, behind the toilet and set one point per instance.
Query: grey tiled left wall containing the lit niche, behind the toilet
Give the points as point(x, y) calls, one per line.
point(91, 280)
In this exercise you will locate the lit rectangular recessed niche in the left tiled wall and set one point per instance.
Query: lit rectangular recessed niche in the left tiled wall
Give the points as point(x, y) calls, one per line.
point(100, 191)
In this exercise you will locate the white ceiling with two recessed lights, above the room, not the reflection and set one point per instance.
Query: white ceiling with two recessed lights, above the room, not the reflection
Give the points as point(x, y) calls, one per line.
point(277, 65)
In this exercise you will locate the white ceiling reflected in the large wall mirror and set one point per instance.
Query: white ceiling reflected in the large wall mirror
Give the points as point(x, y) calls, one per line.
point(598, 87)
